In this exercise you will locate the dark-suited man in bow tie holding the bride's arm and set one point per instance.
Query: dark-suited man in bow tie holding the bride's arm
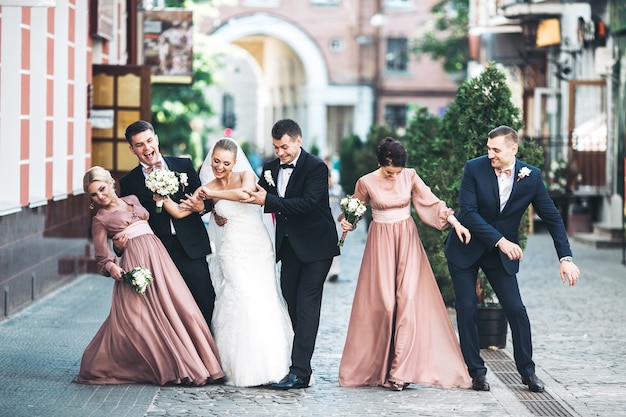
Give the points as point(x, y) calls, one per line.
point(295, 188)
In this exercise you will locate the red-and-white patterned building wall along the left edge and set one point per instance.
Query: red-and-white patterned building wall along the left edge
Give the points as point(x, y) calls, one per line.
point(47, 52)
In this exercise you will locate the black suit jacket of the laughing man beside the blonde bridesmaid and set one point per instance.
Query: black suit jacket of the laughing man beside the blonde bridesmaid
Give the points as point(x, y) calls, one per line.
point(190, 231)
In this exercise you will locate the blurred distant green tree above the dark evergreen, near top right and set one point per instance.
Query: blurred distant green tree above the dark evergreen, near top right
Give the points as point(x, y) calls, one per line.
point(447, 40)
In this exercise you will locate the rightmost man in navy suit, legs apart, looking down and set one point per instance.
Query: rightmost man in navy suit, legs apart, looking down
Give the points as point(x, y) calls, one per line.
point(496, 189)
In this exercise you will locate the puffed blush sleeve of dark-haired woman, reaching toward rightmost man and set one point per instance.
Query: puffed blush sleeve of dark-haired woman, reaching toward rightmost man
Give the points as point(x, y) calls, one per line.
point(430, 209)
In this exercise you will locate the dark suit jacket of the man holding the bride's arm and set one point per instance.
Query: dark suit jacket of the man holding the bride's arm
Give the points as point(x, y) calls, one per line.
point(304, 214)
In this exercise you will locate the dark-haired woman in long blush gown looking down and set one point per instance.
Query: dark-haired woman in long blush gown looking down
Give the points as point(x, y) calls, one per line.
point(399, 331)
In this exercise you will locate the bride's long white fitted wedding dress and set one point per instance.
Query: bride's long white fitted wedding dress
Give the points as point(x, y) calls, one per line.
point(251, 325)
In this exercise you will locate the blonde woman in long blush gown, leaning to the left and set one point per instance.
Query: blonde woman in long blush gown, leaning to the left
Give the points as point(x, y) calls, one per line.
point(160, 337)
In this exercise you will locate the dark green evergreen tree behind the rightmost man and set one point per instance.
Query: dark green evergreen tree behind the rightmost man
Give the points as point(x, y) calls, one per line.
point(439, 151)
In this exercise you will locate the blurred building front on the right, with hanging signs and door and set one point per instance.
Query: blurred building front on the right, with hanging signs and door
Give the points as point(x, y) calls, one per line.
point(565, 63)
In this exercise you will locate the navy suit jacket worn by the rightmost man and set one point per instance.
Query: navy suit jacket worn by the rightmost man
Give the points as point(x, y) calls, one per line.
point(479, 211)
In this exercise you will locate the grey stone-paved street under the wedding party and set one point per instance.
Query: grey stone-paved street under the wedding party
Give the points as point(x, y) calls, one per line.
point(578, 335)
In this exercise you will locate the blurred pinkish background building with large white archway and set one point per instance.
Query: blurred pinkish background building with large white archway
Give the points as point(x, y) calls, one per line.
point(335, 66)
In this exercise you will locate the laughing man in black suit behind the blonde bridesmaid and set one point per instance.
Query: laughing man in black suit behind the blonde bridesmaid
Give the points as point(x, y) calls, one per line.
point(186, 239)
